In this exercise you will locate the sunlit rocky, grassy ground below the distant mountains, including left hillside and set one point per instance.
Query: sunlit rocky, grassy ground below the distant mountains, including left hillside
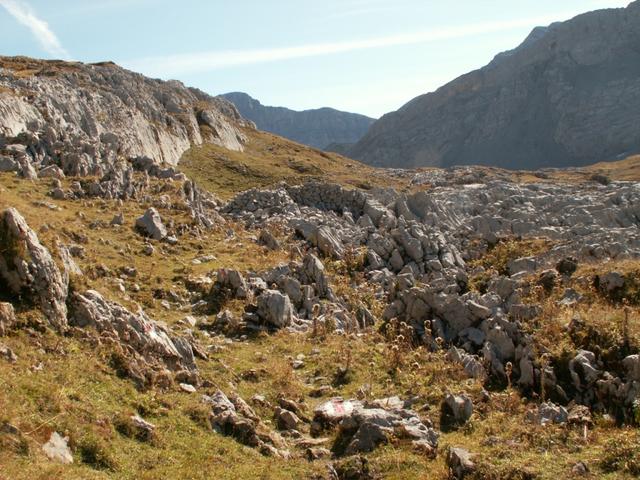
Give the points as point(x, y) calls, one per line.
point(185, 296)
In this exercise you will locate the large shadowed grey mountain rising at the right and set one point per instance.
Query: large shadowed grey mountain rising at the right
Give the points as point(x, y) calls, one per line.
point(569, 95)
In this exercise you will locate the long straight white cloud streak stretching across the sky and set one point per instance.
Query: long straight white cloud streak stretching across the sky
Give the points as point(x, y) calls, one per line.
point(189, 63)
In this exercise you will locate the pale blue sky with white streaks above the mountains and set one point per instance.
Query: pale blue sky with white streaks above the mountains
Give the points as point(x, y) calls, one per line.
point(366, 56)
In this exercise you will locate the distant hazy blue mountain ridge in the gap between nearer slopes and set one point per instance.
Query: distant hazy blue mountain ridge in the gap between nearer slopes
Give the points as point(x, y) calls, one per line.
point(317, 128)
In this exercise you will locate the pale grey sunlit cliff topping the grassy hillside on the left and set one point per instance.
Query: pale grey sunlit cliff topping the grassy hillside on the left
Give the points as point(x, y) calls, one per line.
point(74, 110)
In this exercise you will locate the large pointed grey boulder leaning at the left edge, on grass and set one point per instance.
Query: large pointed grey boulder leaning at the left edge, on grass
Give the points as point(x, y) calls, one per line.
point(27, 268)
